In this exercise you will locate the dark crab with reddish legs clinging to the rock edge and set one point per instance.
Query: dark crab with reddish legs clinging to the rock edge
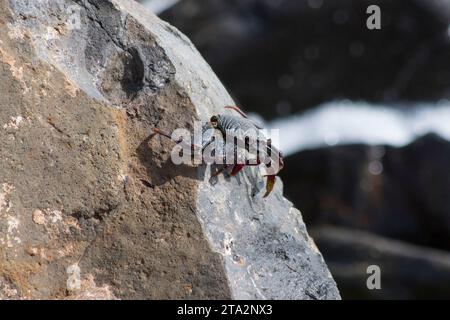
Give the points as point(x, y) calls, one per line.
point(226, 123)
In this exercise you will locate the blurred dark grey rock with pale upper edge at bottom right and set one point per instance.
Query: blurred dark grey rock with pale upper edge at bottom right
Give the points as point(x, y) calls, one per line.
point(407, 271)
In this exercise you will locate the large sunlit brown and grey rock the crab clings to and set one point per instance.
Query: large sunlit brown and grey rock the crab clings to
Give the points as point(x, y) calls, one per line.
point(90, 206)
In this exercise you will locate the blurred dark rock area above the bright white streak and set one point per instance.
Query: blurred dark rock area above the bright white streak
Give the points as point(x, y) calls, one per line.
point(302, 53)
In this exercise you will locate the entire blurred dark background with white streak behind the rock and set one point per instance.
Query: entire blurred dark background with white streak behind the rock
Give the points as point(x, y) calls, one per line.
point(364, 118)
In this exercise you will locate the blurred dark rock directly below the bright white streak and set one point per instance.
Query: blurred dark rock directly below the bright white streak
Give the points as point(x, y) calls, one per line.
point(401, 193)
